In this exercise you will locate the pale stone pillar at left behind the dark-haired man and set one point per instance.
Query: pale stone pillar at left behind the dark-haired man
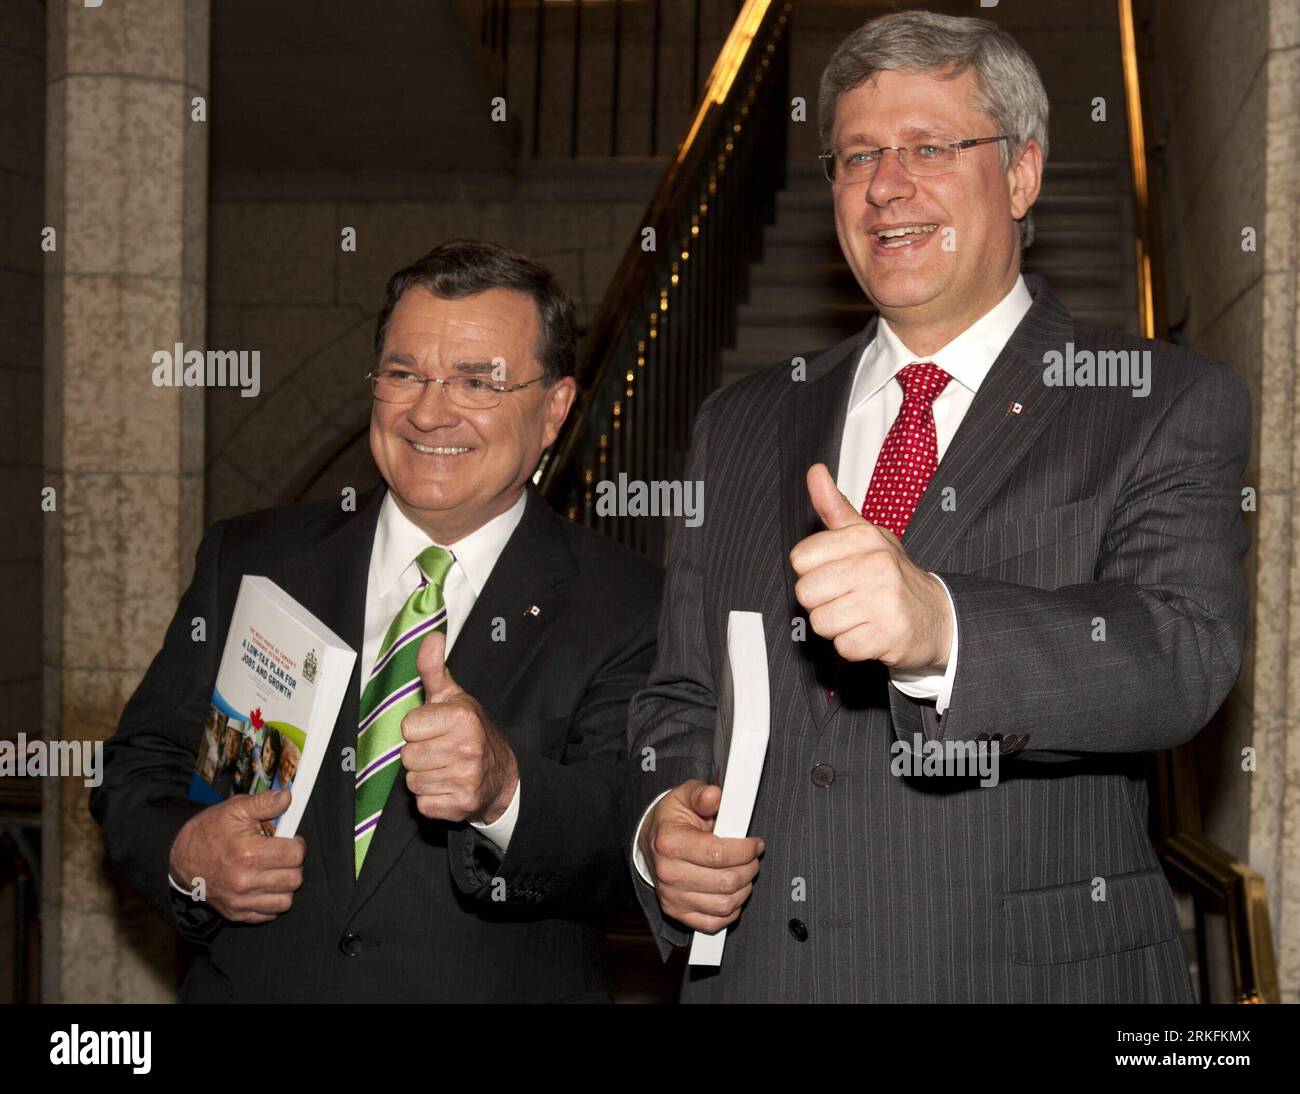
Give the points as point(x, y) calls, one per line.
point(127, 194)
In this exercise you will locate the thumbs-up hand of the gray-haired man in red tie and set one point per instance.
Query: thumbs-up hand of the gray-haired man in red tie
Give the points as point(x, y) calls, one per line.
point(864, 593)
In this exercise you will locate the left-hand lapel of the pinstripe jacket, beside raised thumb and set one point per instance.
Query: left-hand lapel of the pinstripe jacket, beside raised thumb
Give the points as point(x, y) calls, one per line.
point(813, 424)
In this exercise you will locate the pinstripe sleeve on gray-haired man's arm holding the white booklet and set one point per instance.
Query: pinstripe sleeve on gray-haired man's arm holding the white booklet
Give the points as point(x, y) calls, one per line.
point(671, 722)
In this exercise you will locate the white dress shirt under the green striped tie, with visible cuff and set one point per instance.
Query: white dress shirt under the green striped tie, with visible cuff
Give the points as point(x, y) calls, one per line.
point(395, 576)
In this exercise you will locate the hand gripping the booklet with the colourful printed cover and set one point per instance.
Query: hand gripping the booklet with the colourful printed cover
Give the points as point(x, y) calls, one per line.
point(248, 876)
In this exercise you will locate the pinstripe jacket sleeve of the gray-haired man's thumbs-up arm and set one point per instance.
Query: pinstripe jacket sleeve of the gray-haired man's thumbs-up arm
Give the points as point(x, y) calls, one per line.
point(1169, 598)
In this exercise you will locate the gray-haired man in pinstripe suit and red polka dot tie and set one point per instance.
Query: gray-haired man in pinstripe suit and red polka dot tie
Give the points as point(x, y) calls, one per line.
point(952, 554)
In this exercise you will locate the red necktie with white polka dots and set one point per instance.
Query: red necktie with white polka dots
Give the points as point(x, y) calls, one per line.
point(911, 454)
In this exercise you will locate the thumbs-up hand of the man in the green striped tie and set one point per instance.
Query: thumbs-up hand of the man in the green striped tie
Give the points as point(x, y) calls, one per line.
point(457, 766)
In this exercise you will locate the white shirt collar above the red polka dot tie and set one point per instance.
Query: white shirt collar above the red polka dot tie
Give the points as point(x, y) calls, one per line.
point(967, 359)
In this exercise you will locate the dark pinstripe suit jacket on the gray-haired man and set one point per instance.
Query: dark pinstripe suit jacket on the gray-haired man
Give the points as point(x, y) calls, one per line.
point(1090, 505)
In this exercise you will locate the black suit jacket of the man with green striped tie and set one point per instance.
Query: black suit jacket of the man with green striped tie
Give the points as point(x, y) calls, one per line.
point(424, 922)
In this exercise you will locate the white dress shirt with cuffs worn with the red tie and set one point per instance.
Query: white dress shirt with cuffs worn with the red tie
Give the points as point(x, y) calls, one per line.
point(874, 403)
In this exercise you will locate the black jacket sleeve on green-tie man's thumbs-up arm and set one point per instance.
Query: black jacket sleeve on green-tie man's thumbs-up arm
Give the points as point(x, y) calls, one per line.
point(566, 850)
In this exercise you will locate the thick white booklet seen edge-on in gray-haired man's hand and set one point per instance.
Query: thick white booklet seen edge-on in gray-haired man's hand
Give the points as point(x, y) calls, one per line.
point(740, 746)
